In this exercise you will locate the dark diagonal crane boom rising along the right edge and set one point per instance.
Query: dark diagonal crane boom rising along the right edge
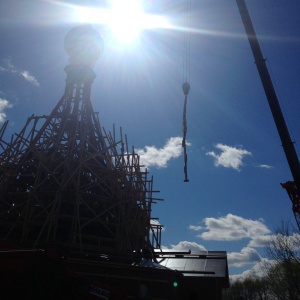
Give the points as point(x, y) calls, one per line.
point(292, 187)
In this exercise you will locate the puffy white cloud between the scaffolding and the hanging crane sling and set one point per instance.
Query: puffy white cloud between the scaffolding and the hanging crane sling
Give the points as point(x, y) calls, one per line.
point(152, 156)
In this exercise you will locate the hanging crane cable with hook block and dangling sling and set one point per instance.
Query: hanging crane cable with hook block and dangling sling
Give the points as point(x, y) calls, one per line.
point(186, 85)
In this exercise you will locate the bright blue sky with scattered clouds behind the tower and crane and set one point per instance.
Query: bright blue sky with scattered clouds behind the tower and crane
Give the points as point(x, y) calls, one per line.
point(234, 200)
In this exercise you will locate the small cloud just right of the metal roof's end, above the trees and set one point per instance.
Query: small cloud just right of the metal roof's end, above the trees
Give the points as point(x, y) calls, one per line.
point(245, 257)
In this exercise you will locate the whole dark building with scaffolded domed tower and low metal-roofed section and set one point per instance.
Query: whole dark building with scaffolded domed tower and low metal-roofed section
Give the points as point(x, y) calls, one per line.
point(75, 208)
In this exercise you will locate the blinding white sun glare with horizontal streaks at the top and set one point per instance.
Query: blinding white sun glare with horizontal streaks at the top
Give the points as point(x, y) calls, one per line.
point(126, 19)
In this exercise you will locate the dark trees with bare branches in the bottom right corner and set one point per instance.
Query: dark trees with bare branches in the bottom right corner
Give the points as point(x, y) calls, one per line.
point(280, 273)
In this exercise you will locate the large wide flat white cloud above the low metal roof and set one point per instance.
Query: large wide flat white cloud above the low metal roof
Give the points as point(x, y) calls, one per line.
point(232, 228)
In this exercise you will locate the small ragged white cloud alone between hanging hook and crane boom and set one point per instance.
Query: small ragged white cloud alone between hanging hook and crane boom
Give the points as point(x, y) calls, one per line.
point(230, 157)
